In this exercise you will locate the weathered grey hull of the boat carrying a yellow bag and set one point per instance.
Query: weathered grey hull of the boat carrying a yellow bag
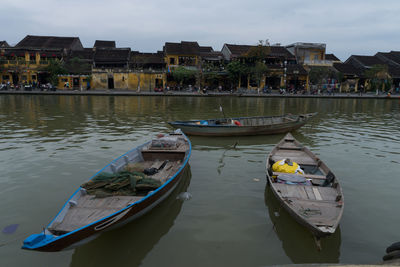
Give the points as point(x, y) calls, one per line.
point(297, 200)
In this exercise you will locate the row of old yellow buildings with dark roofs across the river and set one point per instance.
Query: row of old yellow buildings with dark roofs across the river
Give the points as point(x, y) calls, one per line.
point(105, 66)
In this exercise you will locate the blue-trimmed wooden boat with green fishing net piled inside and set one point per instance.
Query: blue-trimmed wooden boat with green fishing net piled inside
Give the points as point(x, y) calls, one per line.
point(86, 214)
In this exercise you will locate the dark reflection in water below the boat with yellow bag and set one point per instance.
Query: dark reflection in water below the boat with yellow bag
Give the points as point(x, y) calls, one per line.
point(297, 242)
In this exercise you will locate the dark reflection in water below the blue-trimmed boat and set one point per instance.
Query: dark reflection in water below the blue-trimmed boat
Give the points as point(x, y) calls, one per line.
point(131, 243)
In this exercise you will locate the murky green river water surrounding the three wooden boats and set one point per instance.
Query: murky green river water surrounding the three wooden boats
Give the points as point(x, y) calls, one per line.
point(51, 144)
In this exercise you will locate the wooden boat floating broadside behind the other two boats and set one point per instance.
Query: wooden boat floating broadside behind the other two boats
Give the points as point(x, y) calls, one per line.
point(243, 125)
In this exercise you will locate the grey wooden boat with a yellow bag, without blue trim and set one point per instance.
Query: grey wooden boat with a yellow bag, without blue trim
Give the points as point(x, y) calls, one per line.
point(315, 198)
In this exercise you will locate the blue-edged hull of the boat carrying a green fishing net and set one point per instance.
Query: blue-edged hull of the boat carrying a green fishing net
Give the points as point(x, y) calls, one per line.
point(51, 239)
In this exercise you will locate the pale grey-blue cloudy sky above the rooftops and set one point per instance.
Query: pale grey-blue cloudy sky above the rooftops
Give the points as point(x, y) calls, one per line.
point(361, 27)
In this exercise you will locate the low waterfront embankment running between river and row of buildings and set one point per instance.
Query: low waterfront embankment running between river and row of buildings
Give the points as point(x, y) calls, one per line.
point(196, 94)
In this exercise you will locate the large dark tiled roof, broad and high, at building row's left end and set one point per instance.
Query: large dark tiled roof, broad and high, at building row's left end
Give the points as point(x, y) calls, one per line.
point(31, 41)
